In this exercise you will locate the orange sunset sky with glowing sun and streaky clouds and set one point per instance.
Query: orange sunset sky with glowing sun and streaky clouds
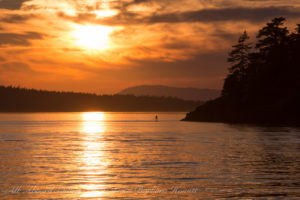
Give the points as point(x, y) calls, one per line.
point(105, 46)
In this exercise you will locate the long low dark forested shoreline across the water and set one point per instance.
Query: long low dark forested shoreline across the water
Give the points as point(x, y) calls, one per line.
point(15, 99)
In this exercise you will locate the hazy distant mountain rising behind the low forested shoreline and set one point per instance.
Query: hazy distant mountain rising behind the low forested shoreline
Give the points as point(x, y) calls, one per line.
point(194, 94)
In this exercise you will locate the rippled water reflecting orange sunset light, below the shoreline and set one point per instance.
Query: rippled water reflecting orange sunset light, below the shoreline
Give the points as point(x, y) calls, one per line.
point(130, 156)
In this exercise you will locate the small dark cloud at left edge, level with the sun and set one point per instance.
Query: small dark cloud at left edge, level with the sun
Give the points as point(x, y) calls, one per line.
point(14, 39)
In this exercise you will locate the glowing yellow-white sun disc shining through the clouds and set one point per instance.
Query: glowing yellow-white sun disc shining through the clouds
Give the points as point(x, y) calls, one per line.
point(92, 37)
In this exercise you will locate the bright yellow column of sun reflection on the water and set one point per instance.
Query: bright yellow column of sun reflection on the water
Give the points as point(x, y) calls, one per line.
point(94, 160)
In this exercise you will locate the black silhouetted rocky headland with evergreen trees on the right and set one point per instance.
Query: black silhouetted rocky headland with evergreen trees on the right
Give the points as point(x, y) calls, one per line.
point(263, 84)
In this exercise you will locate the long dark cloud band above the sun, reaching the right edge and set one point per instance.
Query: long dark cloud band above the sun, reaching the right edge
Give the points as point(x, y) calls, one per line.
point(205, 15)
